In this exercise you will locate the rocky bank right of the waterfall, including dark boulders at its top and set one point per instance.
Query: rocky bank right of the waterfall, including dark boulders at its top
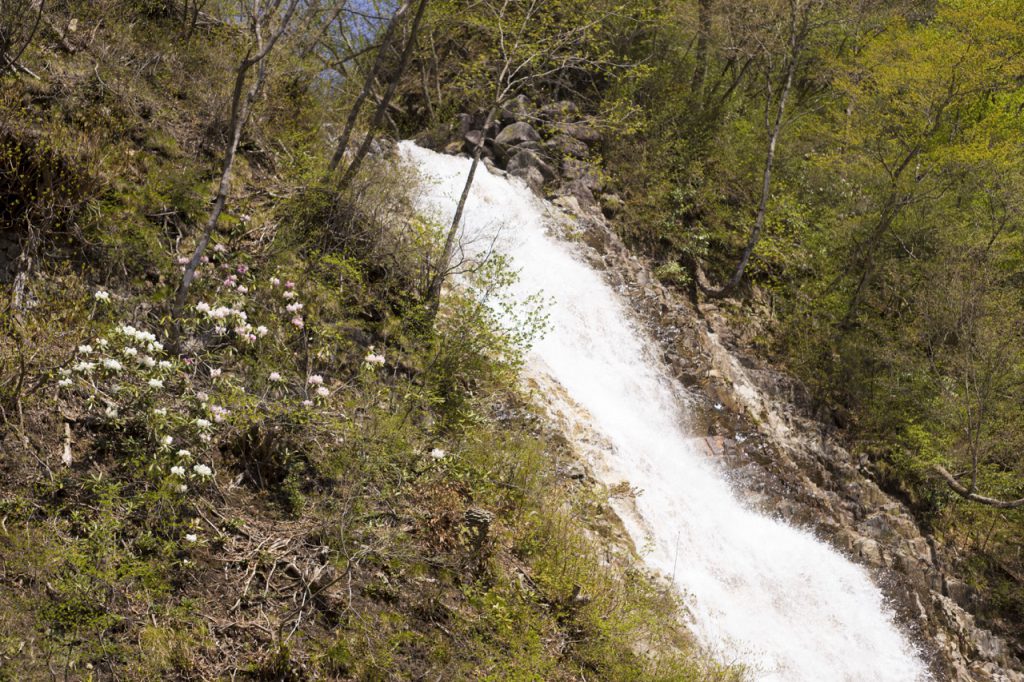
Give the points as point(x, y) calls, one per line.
point(758, 422)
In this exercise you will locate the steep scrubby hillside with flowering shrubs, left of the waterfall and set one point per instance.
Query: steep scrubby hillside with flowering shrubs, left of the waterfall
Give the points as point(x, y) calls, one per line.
point(306, 475)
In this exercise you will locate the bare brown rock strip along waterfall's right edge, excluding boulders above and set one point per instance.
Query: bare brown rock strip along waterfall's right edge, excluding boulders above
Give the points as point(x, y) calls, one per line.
point(759, 423)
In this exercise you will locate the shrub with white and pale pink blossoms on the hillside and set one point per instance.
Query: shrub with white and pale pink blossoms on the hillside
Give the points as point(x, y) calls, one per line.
point(237, 367)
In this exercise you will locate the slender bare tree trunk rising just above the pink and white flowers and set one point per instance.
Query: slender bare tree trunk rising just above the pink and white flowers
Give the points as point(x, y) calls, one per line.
point(241, 112)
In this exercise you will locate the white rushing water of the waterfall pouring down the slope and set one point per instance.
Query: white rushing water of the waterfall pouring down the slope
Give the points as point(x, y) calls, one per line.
point(761, 592)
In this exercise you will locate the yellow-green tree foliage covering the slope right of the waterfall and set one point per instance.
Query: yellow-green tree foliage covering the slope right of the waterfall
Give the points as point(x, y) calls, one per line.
point(892, 246)
